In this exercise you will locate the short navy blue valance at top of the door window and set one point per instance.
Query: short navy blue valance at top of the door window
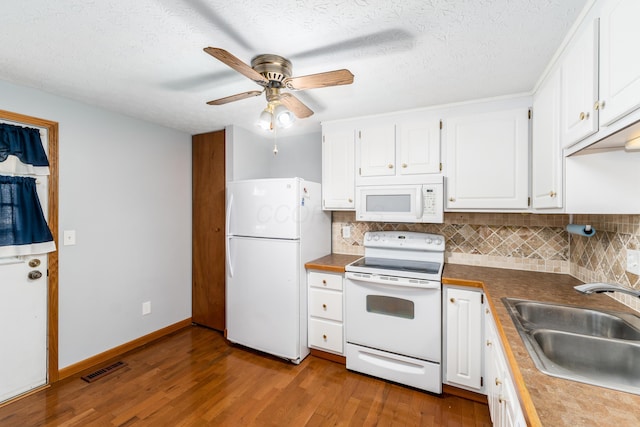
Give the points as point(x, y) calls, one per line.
point(21, 151)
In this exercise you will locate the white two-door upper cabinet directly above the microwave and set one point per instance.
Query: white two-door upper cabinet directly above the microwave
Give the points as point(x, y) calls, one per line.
point(397, 149)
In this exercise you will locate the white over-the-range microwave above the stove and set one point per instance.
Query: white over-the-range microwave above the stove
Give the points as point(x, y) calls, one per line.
point(401, 202)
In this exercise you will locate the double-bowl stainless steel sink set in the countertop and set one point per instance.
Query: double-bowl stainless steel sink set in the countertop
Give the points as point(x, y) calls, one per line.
point(591, 346)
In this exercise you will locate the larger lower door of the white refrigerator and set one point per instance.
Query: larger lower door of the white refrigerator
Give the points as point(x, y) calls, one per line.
point(263, 295)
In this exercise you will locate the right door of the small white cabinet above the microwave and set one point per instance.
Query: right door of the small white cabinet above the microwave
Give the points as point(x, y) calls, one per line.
point(418, 146)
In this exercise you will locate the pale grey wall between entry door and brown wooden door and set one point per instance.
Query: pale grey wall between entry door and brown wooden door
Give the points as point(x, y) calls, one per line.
point(125, 187)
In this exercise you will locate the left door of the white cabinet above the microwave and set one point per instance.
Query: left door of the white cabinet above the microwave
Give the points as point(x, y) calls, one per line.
point(377, 145)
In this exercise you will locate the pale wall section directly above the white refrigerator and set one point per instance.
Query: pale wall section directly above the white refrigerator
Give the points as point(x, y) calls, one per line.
point(250, 155)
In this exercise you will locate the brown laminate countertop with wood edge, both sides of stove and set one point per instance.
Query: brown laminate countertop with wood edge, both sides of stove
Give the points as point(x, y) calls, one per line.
point(547, 400)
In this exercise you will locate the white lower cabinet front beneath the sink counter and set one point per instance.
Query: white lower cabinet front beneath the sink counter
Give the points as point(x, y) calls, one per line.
point(502, 397)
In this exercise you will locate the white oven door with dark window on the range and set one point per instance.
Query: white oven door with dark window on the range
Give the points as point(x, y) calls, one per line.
point(399, 319)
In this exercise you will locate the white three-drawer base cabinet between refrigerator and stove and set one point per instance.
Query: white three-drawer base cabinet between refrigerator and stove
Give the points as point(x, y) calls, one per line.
point(326, 311)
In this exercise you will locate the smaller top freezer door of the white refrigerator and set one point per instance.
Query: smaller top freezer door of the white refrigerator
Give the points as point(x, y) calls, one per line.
point(264, 208)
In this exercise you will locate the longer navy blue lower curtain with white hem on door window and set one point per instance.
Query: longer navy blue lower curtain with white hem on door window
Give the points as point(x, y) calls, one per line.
point(23, 228)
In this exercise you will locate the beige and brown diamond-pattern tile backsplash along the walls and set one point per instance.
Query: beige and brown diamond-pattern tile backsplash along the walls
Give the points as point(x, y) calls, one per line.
point(521, 242)
